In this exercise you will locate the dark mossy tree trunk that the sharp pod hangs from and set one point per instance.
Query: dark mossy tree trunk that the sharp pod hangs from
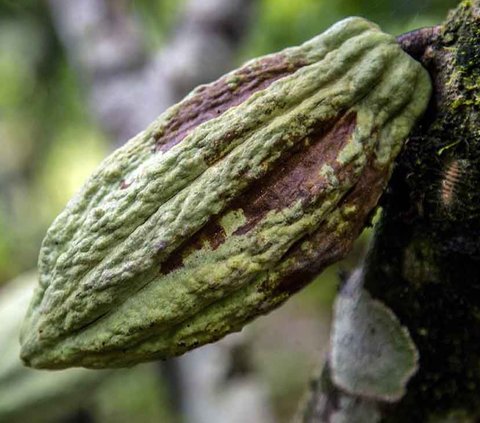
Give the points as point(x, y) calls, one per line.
point(424, 263)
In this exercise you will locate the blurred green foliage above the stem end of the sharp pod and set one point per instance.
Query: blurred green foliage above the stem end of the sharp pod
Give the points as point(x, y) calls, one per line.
point(281, 23)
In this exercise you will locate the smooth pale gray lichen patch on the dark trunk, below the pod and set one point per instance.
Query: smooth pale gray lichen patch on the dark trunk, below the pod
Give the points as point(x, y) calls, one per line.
point(372, 355)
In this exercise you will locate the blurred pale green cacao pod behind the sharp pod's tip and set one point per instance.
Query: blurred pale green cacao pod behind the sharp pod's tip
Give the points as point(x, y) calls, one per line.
point(28, 395)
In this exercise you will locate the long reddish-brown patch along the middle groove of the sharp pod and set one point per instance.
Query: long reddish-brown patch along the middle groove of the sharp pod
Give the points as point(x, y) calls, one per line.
point(295, 177)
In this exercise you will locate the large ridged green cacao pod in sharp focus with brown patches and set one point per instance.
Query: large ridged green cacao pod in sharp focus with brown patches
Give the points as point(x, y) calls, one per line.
point(228, 203)
